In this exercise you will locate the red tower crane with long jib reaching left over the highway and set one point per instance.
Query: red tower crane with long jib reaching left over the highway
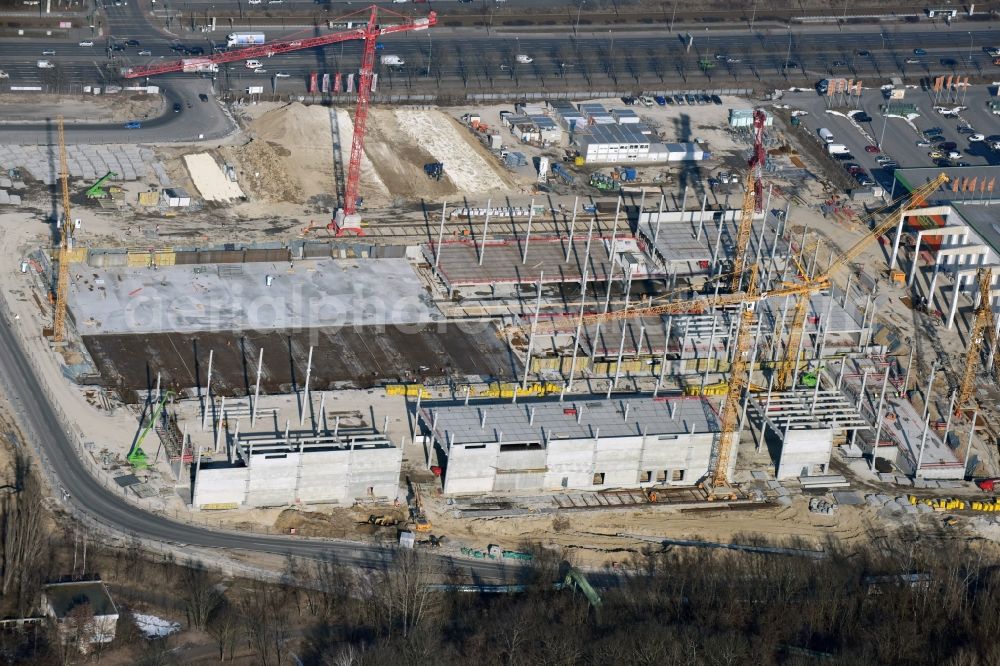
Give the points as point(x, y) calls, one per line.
point(347, 218)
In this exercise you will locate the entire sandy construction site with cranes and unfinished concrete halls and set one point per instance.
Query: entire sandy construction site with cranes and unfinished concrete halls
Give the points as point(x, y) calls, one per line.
point(442, 319)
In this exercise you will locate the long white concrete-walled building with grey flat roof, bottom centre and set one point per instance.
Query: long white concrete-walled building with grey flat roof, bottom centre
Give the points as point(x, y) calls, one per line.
point(581, 444)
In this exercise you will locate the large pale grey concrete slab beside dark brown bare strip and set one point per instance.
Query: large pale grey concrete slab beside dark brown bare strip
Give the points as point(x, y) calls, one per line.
point(217, 297)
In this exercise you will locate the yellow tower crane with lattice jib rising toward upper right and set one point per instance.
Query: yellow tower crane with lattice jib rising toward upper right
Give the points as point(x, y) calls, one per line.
point(818, 283)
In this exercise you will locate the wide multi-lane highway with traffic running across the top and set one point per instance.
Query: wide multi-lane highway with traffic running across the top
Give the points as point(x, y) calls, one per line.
point(474, 58)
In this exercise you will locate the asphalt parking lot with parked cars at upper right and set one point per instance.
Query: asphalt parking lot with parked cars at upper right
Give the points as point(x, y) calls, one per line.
point(898, 138)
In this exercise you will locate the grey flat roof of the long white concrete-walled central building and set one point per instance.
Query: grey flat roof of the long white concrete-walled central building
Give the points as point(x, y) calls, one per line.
point(573, 418)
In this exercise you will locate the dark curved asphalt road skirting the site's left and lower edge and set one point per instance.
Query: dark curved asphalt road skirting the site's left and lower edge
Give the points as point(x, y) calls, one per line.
point(42, 428)
